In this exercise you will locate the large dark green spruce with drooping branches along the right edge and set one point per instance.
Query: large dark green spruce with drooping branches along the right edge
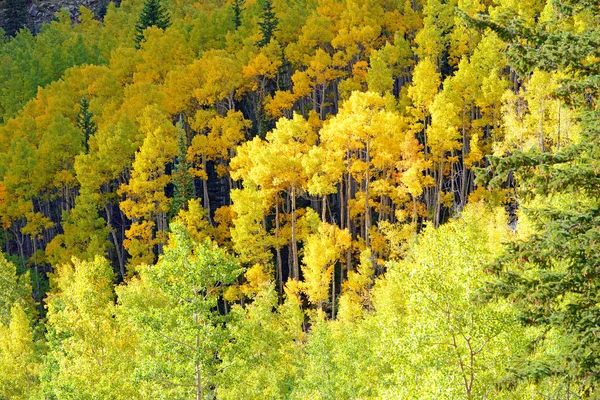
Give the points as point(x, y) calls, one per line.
point(553, 276)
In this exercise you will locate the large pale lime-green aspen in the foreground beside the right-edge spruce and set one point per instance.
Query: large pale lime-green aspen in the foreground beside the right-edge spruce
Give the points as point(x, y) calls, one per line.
point(438, 340)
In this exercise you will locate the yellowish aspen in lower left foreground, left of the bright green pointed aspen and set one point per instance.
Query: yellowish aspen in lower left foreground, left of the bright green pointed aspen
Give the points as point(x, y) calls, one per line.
point(89, 351)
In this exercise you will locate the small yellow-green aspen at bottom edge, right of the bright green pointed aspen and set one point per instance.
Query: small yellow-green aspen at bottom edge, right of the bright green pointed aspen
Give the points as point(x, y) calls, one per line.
point(260, 360)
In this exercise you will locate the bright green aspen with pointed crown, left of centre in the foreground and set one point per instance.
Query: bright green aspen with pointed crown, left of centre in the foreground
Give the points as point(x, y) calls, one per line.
point(174, 309)
